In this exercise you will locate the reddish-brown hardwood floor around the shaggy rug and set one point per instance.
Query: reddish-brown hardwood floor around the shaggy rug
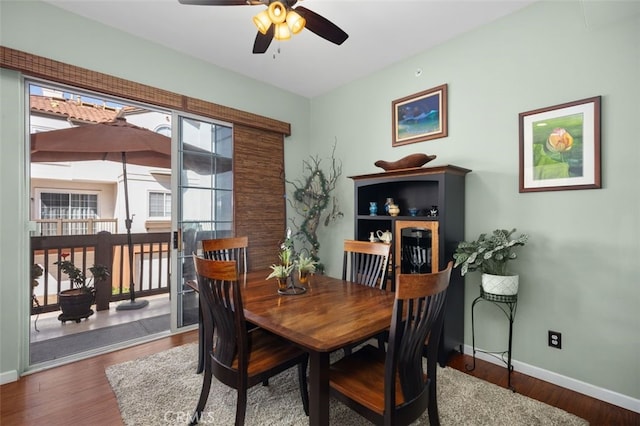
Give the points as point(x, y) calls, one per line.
point(80, 393)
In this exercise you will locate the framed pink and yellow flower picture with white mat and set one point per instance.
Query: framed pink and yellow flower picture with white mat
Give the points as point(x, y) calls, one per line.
point(560, 147)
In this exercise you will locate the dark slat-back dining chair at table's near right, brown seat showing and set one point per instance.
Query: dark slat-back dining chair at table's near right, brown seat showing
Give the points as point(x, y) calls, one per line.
point(392, 388)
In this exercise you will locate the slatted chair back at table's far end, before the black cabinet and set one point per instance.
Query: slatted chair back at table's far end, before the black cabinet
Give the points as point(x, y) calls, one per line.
point(366, 262)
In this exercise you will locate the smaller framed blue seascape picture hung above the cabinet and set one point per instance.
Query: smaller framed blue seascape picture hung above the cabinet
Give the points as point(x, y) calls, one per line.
point(420, 117)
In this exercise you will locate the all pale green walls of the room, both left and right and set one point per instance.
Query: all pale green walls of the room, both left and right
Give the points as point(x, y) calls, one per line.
point(577, 272)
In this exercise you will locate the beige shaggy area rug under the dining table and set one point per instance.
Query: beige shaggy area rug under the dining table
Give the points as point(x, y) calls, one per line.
point(162, 389)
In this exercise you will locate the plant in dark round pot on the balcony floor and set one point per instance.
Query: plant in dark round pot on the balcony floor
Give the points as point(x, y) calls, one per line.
point(76, 302)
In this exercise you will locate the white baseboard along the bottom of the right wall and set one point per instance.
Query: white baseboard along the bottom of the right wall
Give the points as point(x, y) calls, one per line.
point(602, 394)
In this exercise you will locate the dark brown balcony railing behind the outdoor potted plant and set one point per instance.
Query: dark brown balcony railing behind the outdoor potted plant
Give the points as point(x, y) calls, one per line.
point(151, 266)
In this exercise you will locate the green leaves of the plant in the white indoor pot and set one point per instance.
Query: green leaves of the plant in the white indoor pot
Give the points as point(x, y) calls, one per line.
point(489, 253)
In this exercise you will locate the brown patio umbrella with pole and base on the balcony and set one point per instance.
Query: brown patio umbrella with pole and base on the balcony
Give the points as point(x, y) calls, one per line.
point(121, 141)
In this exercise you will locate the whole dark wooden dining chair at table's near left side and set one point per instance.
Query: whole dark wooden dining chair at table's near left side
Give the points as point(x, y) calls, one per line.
point(238, 357)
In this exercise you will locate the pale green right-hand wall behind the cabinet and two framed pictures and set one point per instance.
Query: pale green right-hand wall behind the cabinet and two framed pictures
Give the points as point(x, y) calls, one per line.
point(578, 273)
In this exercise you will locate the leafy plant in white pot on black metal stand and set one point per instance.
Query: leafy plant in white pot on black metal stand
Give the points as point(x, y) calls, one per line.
point(490, 254)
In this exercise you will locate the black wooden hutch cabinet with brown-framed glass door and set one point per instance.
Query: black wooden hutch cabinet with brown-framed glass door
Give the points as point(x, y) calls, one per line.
point(433, 236)
